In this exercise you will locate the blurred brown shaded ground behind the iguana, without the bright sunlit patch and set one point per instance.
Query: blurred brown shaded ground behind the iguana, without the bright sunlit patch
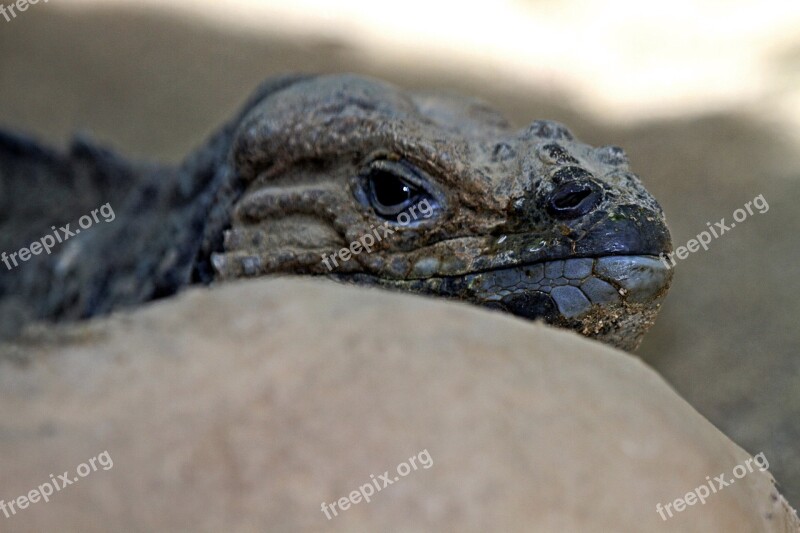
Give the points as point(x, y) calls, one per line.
point(154, 85)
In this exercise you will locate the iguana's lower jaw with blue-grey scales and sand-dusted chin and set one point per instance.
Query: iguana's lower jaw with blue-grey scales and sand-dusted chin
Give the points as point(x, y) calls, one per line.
point(612, 297)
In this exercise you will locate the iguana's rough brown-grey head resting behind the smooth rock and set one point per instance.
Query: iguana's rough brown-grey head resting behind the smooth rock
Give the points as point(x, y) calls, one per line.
point(455, 202)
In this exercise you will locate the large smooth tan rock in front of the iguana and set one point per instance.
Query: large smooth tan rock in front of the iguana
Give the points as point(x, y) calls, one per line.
point(245, 407)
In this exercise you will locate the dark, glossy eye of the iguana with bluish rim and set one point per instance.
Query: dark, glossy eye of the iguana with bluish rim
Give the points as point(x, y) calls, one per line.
point(391, 188)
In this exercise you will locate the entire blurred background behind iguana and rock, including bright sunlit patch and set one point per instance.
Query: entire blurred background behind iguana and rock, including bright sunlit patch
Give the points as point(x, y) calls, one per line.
point(704, 96)
